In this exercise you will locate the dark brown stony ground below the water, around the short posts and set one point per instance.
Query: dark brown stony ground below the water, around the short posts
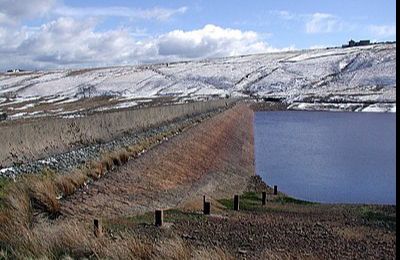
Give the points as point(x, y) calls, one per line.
point(285, 228)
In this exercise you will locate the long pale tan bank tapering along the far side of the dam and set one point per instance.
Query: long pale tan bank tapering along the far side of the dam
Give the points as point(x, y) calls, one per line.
point(21, 142)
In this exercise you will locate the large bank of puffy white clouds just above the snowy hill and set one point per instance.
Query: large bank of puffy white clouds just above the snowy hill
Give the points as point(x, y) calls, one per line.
point(68, 42)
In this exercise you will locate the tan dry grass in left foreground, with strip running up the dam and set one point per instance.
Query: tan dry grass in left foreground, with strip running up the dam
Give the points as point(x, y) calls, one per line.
point(21, 236)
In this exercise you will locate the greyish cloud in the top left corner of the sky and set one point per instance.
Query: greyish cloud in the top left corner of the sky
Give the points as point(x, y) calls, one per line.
point(12, 12)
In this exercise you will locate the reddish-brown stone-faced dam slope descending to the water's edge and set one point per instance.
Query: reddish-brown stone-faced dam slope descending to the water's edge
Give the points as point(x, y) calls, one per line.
point(214, 158)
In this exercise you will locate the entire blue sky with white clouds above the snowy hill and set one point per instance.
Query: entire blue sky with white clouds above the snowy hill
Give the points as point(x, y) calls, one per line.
point(50, 34)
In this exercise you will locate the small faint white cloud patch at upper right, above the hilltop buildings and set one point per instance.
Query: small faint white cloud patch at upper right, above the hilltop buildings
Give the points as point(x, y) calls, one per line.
point(323, 23)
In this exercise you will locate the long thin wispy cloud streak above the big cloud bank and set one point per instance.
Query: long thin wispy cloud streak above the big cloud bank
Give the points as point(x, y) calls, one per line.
point(156, 13)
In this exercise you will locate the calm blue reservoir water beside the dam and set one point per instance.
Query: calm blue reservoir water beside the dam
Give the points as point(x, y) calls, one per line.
point(333, 157)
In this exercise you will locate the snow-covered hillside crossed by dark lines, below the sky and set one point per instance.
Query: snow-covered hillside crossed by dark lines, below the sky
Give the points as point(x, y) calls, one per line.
point(357, 79)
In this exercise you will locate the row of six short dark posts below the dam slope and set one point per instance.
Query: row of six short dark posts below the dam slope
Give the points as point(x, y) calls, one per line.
point(159, 215)
